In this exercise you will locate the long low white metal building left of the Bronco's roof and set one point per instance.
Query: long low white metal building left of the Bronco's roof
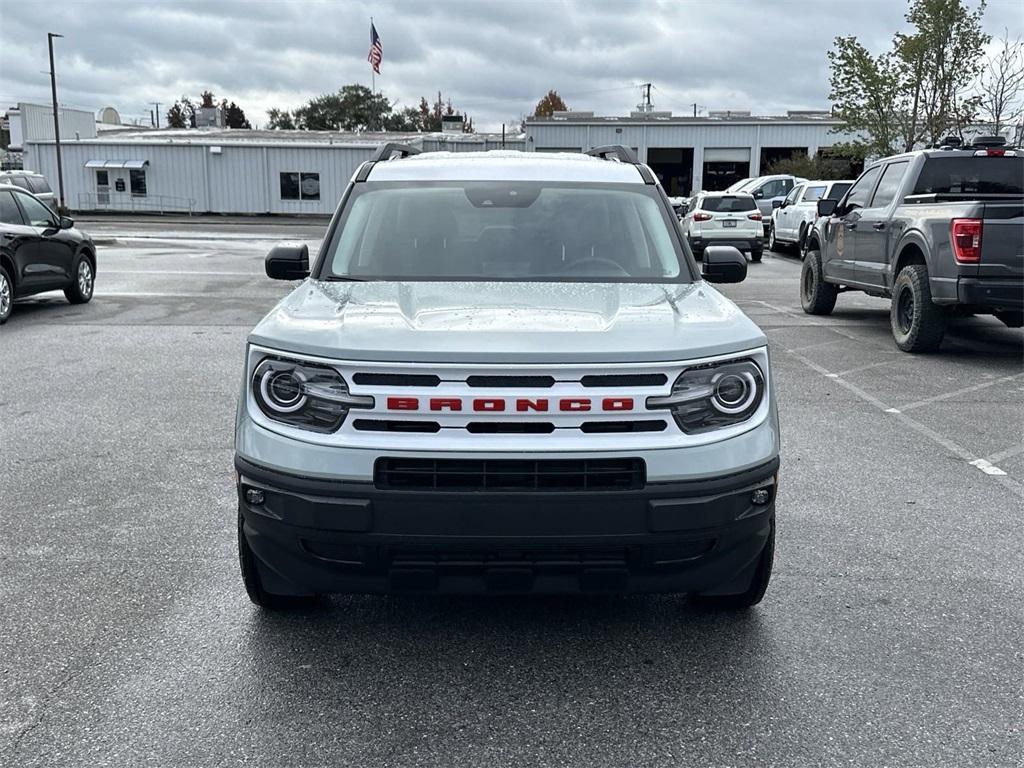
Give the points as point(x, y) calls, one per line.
point(225, 170)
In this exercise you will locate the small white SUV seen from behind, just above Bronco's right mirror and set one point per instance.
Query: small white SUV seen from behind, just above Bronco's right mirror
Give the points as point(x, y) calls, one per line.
point(724, 219)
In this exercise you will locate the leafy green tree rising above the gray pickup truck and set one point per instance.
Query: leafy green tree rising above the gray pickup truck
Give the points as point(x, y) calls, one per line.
point(918, 92)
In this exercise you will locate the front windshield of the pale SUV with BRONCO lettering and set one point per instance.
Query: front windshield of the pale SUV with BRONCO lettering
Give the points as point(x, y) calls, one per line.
point(487, 231)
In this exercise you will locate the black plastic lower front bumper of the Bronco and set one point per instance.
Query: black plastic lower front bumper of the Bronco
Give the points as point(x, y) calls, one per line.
point(320, 536)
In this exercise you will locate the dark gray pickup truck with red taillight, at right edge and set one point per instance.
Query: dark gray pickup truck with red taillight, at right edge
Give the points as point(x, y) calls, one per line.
point(940, 232)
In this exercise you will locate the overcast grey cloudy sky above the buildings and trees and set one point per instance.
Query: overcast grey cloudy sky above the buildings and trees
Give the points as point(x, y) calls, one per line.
point(494, 60)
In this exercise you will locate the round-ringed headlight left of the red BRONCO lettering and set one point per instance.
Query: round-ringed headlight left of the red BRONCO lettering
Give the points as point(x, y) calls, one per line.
point(304, 395)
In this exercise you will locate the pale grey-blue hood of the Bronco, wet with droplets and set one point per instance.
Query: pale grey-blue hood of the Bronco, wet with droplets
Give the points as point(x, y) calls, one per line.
point(507, 322)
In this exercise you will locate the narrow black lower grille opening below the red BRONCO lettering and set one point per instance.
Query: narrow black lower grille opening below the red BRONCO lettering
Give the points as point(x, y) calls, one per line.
point(509, 475)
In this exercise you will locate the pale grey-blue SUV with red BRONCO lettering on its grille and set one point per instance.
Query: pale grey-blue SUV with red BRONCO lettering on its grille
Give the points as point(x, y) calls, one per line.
point(505, 374)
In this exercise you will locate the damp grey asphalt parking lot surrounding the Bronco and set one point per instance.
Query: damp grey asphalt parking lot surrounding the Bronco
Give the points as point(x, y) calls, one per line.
point(890, 636)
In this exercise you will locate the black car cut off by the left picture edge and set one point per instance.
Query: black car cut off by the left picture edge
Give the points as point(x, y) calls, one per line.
point(41, 252)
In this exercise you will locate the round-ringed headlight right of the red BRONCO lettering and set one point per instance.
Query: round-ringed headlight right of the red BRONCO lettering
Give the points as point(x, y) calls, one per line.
point(715, 396)
